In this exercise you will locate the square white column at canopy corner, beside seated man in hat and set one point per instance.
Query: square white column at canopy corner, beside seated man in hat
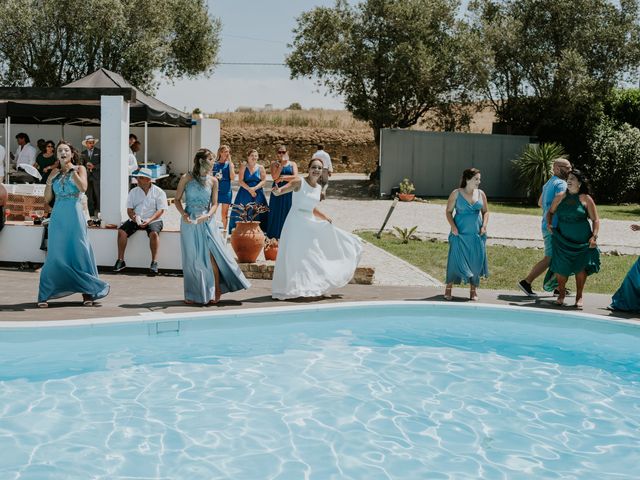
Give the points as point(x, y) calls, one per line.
point(114, 141)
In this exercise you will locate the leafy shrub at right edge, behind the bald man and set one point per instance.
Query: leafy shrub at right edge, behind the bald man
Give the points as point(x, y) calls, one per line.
point(614, 166)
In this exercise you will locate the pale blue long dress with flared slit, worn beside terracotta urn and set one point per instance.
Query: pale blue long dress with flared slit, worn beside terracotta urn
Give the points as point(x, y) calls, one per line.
point(200, 242)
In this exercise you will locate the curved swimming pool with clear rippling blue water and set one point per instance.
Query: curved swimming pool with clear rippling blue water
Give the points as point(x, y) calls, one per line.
point(389, 390)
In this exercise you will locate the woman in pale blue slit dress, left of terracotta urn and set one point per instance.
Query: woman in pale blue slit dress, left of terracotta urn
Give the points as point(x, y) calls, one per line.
point(208, 267)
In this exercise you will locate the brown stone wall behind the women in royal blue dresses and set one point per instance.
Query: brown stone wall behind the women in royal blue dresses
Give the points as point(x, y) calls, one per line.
point(352, 151)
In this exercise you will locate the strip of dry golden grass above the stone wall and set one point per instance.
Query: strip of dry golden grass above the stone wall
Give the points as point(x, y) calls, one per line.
point(313, 118)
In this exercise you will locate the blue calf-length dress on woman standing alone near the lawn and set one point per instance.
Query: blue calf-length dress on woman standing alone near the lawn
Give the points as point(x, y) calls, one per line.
point(467, 260)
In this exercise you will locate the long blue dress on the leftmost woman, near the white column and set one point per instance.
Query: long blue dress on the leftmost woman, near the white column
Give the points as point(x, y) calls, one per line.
point(70, 266)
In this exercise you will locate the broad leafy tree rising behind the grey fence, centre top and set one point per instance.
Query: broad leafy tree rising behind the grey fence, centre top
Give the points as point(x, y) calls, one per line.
point(391, 60)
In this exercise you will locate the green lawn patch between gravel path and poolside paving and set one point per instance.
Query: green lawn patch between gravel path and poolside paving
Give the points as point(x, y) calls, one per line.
point(507, 265)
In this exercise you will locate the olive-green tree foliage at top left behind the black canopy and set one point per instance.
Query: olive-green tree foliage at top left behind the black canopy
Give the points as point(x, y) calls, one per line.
point(47, 43)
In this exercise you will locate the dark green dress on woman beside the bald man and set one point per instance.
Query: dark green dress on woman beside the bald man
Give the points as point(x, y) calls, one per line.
point(571, 251)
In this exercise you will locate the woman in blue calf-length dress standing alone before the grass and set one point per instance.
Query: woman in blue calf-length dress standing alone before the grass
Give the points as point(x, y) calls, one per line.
point(467, 260)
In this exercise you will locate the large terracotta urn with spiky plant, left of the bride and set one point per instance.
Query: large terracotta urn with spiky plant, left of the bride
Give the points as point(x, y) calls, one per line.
point(247, 238)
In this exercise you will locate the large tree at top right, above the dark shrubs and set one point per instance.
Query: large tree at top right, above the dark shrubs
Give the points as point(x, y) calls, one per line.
point(552, 62)
